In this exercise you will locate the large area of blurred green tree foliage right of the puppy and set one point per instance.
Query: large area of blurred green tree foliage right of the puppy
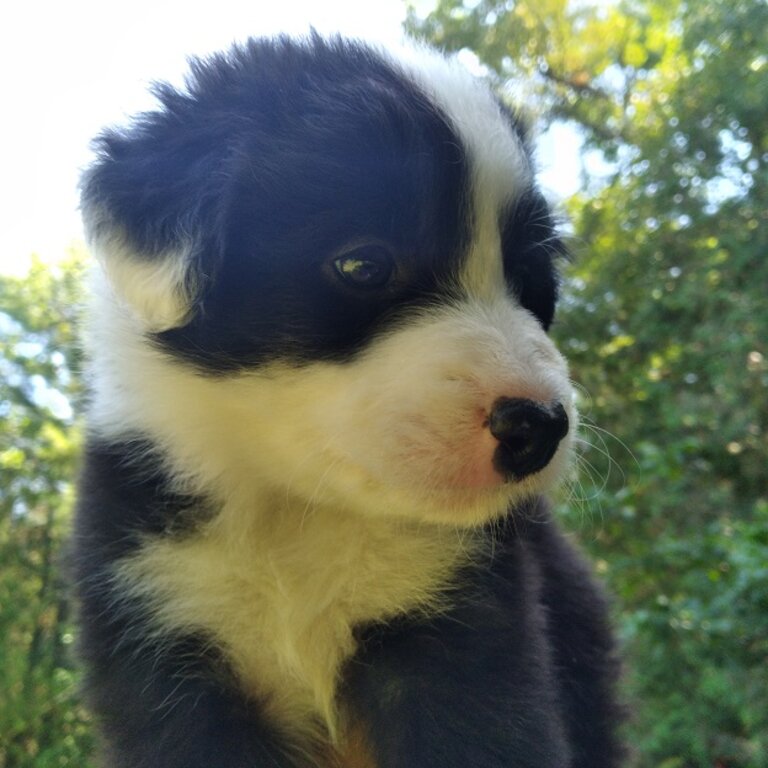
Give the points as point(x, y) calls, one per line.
point(665, 321)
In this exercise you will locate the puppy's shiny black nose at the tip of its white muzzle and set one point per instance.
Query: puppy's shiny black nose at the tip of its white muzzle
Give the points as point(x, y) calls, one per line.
point(528, 433)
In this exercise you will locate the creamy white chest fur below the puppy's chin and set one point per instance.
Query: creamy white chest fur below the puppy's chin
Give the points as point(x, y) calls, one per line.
point(279, 588)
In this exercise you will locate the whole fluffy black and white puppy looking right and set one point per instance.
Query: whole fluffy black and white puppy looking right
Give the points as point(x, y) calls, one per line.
point(324, 408)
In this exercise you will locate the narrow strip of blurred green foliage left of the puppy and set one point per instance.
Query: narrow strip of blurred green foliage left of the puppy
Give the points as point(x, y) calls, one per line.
point(41, 721)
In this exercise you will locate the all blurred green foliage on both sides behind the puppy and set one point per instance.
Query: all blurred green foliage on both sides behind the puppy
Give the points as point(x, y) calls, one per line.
point(664, 318)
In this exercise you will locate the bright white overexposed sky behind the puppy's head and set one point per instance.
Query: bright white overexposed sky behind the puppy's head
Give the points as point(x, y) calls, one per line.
point(68, 69)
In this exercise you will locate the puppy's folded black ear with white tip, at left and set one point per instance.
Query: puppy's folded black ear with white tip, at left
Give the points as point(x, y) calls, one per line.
point(147, 203)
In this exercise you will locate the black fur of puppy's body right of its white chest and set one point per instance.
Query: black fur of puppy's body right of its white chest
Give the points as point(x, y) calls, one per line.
point(519, 673)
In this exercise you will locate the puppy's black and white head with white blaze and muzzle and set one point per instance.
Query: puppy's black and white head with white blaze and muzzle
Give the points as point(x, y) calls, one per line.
point(329, 274)
